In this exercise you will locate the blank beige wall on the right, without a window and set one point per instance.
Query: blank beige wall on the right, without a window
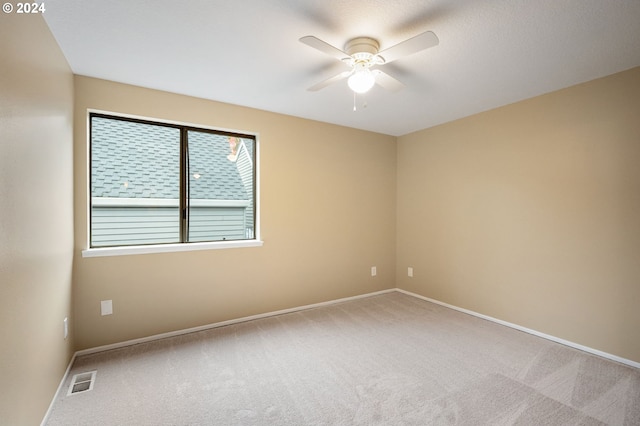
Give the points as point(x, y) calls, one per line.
point(530, 213)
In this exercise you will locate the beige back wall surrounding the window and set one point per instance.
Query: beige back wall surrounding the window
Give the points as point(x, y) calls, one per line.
point(328, 215)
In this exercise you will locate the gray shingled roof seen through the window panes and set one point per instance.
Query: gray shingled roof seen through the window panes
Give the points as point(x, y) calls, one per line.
point(136, 160)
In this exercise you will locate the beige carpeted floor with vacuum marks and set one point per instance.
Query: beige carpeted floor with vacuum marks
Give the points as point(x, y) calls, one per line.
point(389, 359)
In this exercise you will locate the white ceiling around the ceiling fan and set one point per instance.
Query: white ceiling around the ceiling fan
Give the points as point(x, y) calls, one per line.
point(246, 52)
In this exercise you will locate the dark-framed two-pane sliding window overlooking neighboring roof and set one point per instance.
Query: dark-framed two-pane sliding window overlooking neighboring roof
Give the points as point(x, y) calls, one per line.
point(158, 183)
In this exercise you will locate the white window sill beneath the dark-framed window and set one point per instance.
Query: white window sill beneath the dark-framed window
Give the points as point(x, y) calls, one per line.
point(168, 248)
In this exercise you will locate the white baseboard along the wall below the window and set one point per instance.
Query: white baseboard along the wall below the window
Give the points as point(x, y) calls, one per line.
point(223, 323)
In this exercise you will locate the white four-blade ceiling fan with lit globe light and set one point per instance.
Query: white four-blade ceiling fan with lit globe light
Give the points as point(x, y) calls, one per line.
point(362, 55)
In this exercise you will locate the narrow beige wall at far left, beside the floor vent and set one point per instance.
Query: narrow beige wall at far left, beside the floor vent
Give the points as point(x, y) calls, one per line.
point(36, 217)
